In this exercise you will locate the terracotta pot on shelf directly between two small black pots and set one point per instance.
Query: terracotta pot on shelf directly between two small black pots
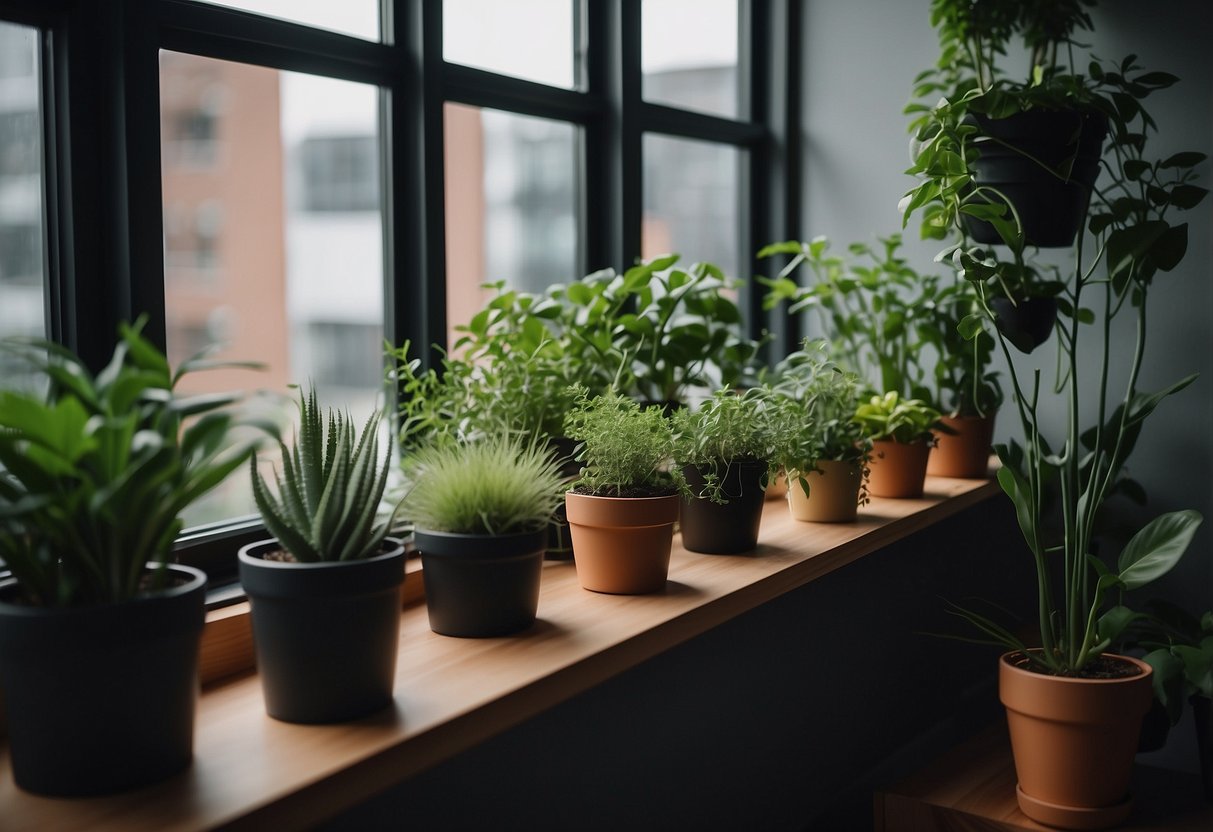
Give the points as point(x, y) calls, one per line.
point(622, 545)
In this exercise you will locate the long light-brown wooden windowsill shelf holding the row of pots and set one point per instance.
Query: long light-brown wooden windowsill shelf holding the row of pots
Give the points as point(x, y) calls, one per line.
point(252, 772)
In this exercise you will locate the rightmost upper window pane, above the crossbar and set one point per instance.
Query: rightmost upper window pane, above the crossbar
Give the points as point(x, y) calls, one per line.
point(690, 55)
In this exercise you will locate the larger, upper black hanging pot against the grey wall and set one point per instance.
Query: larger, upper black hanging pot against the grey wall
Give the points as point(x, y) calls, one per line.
point(1051, 206)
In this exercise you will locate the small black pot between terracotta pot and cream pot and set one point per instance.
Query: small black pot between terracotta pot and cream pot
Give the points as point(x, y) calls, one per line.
point(710, 528)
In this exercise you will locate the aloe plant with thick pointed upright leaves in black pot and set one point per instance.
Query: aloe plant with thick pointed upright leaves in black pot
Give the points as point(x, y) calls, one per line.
point(329, 488)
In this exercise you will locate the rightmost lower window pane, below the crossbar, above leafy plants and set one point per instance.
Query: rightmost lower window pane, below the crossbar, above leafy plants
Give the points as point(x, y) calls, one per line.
point(692, 202)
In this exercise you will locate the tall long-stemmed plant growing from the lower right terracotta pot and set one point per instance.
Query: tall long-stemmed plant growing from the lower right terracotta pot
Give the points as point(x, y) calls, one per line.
point(1131, 243)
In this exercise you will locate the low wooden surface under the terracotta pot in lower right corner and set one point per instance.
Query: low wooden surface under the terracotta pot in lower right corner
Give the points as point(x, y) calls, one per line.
point(972, 789)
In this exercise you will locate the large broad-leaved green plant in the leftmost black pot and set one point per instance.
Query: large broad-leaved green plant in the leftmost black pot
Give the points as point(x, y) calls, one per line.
point(96, 472)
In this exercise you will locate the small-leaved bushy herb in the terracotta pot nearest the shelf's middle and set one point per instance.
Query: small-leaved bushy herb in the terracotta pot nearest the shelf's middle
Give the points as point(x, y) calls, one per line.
point(625, 449)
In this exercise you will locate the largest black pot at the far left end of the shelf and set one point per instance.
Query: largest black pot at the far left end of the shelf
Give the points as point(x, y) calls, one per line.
point(101, 699)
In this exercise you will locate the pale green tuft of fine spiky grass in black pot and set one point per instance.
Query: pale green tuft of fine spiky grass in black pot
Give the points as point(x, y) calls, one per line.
point(497, 486)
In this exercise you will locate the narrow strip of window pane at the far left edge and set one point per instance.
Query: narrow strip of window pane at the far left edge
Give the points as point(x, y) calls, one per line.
point(21, 195)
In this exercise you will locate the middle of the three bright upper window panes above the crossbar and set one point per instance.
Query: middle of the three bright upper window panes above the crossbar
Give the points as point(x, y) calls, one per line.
point(529, 39)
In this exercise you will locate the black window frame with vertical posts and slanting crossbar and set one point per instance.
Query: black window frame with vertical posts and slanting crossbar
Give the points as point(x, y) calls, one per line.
point(101, 122)
